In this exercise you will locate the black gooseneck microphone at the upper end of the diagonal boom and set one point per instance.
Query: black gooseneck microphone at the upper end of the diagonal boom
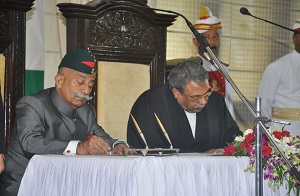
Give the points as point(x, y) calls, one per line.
point(204, 45)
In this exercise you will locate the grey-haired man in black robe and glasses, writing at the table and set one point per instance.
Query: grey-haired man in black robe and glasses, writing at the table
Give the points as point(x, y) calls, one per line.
point(195, 118)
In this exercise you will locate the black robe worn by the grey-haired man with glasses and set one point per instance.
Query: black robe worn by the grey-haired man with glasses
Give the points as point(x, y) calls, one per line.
point(214, 124)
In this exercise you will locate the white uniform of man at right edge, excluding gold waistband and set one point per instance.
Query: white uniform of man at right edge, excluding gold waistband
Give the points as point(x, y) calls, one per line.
point(279, 88)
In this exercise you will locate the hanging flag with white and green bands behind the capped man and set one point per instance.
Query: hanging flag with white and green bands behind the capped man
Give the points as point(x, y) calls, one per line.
point(35, 48)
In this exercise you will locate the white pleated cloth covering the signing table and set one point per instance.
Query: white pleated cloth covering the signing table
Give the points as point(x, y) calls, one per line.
point(182, 175)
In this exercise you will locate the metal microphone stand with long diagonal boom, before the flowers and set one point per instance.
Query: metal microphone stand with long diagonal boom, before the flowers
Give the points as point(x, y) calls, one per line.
point(260, 121)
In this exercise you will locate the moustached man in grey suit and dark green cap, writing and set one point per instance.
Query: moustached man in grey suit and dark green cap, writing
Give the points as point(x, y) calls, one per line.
point(58, 121)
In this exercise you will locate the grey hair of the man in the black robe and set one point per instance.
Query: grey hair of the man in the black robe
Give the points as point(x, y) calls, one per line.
point(185, 72)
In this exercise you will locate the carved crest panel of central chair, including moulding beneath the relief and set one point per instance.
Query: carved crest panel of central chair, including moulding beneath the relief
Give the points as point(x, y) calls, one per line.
point(123, 37)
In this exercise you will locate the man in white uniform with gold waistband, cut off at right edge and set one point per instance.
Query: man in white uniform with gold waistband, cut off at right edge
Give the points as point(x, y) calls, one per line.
point(279, 88)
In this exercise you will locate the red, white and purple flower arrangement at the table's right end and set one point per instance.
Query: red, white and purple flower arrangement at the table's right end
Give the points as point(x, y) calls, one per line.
point(275, 170)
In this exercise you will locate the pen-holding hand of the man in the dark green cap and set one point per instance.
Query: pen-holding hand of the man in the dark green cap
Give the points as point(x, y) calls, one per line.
point(94, 145)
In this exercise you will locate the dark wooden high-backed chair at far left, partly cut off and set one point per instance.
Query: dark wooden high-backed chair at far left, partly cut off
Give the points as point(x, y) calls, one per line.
point(12, 59)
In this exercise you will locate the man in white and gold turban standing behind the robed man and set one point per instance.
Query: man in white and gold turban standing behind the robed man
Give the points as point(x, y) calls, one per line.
point(209, 26)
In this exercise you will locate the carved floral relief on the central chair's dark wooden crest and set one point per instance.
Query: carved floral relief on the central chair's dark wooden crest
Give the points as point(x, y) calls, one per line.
point(123, 30)
